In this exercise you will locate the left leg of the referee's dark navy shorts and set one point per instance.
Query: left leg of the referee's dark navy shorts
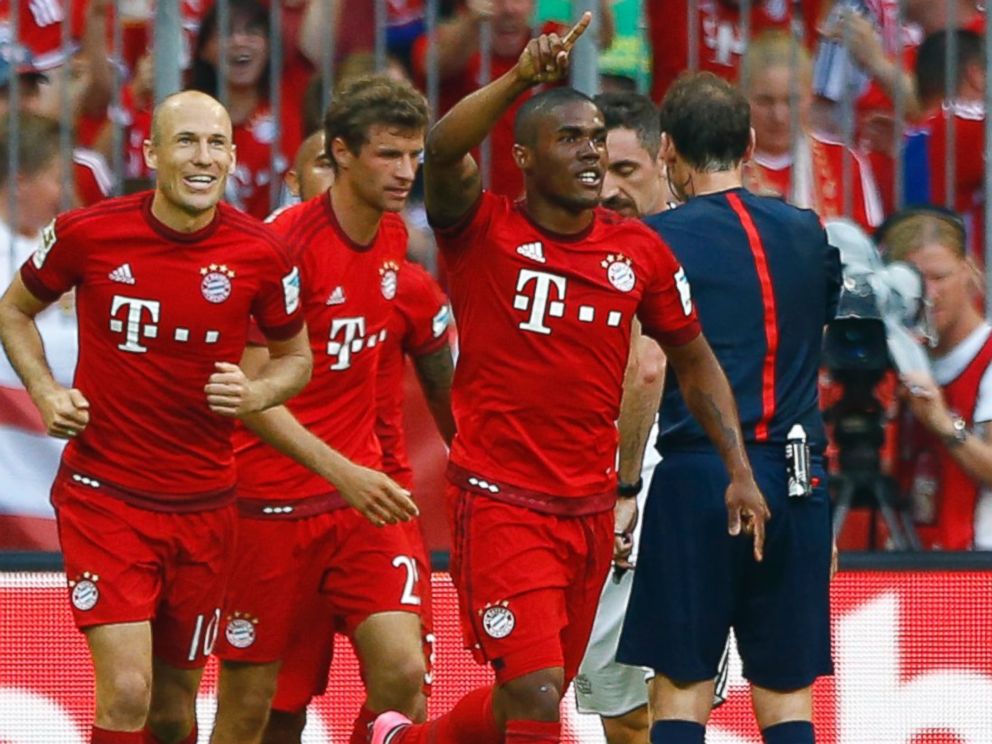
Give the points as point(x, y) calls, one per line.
point(682, 598)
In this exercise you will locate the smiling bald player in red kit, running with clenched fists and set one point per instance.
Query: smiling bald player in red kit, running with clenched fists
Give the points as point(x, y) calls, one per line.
point(166, 282)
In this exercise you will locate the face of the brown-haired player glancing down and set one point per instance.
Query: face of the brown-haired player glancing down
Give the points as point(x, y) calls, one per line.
point(381, 173)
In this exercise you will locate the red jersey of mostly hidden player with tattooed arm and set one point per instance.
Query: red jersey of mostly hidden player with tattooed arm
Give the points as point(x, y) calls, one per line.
point(418, 326)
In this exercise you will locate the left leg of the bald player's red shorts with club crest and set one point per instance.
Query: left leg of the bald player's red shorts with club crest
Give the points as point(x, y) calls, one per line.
point(114, 559)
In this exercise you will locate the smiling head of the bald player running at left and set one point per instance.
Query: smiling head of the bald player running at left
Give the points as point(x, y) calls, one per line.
point(192, 153)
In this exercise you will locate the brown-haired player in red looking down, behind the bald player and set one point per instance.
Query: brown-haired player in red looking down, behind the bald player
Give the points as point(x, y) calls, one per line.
point(314, 565)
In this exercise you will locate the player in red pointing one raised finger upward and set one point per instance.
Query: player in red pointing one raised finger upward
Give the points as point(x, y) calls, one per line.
point(544, 291)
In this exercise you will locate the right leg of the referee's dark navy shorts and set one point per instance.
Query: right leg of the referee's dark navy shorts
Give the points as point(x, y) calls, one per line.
point(782, 621)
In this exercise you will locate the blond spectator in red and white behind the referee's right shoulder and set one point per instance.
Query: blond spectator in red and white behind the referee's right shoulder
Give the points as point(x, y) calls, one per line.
point(810, 171)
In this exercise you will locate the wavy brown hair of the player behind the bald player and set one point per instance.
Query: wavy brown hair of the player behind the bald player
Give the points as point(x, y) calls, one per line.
point(369, 100)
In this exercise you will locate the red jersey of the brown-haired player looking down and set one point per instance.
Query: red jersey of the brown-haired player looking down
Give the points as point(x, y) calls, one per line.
point(348, 293)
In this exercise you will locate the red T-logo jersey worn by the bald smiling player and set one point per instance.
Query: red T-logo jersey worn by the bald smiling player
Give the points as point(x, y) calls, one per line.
point(156, 310)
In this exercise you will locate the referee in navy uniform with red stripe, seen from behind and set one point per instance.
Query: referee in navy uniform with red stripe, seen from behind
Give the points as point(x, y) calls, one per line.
point(765, 281)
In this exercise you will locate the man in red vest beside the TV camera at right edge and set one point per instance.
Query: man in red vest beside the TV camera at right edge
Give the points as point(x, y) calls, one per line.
point(945, 440)
